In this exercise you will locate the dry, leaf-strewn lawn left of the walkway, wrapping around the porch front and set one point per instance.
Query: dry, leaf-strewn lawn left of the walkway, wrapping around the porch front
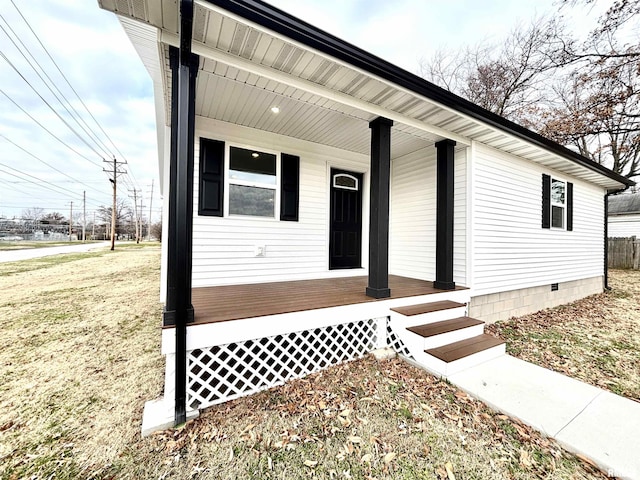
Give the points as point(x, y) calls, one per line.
point(79, 355)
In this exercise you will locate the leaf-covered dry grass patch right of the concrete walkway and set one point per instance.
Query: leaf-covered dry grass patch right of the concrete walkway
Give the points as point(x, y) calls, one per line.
point(596, 340)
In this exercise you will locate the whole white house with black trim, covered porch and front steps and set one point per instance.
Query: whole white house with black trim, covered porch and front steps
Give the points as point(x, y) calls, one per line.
point(321, 202)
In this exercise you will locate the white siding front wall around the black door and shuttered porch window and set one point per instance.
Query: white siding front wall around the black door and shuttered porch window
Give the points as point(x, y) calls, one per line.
point(224, 247)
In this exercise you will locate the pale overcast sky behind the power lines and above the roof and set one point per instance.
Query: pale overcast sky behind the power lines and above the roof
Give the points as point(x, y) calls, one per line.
point(91, 49)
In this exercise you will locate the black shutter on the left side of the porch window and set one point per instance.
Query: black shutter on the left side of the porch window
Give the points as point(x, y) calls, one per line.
point(211, 192)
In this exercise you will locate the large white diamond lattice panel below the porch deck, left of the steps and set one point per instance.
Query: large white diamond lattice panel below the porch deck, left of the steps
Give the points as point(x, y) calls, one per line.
point(224, 372)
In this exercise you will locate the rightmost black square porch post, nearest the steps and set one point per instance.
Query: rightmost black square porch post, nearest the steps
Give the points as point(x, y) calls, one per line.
point(444, 215)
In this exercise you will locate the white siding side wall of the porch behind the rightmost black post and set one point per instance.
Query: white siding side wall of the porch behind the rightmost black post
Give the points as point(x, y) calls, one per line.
point(412, 229)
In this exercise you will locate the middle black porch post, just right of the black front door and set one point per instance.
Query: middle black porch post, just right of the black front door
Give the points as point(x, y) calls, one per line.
point(379, 206)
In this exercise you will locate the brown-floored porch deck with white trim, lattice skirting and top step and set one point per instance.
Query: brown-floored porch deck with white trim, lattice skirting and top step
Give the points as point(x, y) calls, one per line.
point(247, 338)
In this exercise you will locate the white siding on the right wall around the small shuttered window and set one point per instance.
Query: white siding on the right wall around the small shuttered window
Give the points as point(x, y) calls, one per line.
point(511, 250)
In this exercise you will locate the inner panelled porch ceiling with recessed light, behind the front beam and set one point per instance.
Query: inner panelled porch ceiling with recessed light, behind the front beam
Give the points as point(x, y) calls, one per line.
point(243, 98)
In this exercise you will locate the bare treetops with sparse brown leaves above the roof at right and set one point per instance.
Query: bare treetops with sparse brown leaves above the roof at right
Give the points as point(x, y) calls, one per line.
point(582, 94)
